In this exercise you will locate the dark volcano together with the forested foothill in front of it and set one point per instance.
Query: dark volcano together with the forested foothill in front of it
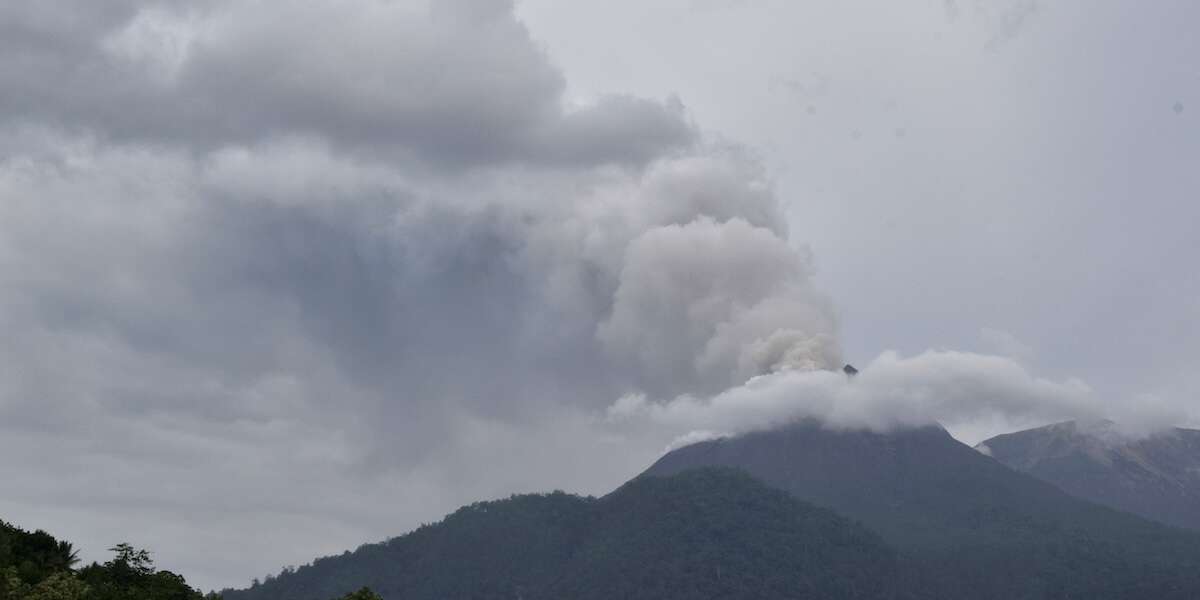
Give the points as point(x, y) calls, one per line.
point(739, 518)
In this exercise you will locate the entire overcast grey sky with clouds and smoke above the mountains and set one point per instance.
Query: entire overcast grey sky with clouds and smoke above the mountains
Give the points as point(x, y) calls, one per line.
point(281, 279)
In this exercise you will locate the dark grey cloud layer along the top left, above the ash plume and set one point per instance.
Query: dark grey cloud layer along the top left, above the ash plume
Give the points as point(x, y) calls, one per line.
point(461, 83)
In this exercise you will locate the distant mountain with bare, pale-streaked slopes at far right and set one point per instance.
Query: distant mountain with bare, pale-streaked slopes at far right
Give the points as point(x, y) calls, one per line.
point(1156, 477)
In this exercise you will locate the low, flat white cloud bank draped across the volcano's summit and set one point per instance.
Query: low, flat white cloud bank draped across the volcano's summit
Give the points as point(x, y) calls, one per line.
point(892, 392)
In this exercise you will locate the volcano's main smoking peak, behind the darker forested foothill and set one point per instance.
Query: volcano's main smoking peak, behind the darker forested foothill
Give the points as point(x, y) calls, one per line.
point(986, 531)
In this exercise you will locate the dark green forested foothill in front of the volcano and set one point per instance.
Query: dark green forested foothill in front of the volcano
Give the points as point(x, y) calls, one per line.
point(706, 533)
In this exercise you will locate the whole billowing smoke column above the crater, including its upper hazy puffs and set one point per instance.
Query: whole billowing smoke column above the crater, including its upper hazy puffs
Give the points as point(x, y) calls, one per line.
point(683, 275)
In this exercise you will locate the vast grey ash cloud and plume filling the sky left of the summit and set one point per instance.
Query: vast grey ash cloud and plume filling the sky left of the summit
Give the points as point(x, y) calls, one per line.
point(314, 267)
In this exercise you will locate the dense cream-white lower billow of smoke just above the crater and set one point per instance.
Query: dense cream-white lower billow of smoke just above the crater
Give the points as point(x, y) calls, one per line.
point(709, 305)
